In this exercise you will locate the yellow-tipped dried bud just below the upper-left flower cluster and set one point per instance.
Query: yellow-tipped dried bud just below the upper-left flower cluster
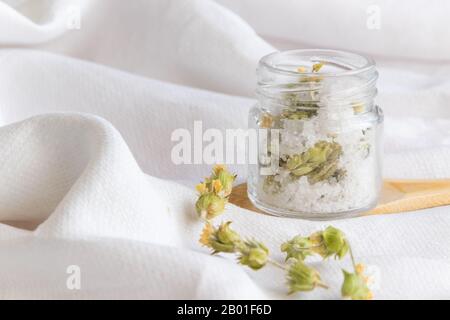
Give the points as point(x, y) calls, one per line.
point(222, 239)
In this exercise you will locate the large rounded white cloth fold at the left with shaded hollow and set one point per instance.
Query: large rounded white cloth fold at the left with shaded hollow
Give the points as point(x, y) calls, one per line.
point(74, 176)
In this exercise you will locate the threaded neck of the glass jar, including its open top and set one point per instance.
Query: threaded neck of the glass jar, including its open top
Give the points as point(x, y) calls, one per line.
point(287, 80)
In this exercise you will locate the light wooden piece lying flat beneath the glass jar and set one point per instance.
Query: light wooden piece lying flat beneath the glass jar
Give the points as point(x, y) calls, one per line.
point(396, 196)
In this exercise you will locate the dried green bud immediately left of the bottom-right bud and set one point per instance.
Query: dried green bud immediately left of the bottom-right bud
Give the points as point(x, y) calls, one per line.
point(302, 278)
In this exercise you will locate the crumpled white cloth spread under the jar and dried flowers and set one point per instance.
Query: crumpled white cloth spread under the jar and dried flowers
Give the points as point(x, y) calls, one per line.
point(86, 175)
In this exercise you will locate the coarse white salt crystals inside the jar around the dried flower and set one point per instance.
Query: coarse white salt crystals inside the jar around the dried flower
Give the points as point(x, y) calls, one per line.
point(357, 188)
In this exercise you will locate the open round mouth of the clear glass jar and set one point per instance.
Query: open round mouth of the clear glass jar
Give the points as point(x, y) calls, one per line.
point(299, 63)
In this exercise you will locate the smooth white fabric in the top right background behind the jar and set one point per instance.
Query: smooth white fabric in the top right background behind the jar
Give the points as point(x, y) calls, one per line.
point(416, 29)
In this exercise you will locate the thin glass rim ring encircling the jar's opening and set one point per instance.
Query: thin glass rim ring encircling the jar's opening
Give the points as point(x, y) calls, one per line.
point(320, 55)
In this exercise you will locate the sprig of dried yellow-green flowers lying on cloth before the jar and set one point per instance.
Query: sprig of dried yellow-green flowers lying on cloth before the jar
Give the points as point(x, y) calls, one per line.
point(331, 242)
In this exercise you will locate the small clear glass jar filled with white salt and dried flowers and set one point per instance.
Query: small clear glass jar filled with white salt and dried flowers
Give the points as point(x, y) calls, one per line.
point(319, 135)
